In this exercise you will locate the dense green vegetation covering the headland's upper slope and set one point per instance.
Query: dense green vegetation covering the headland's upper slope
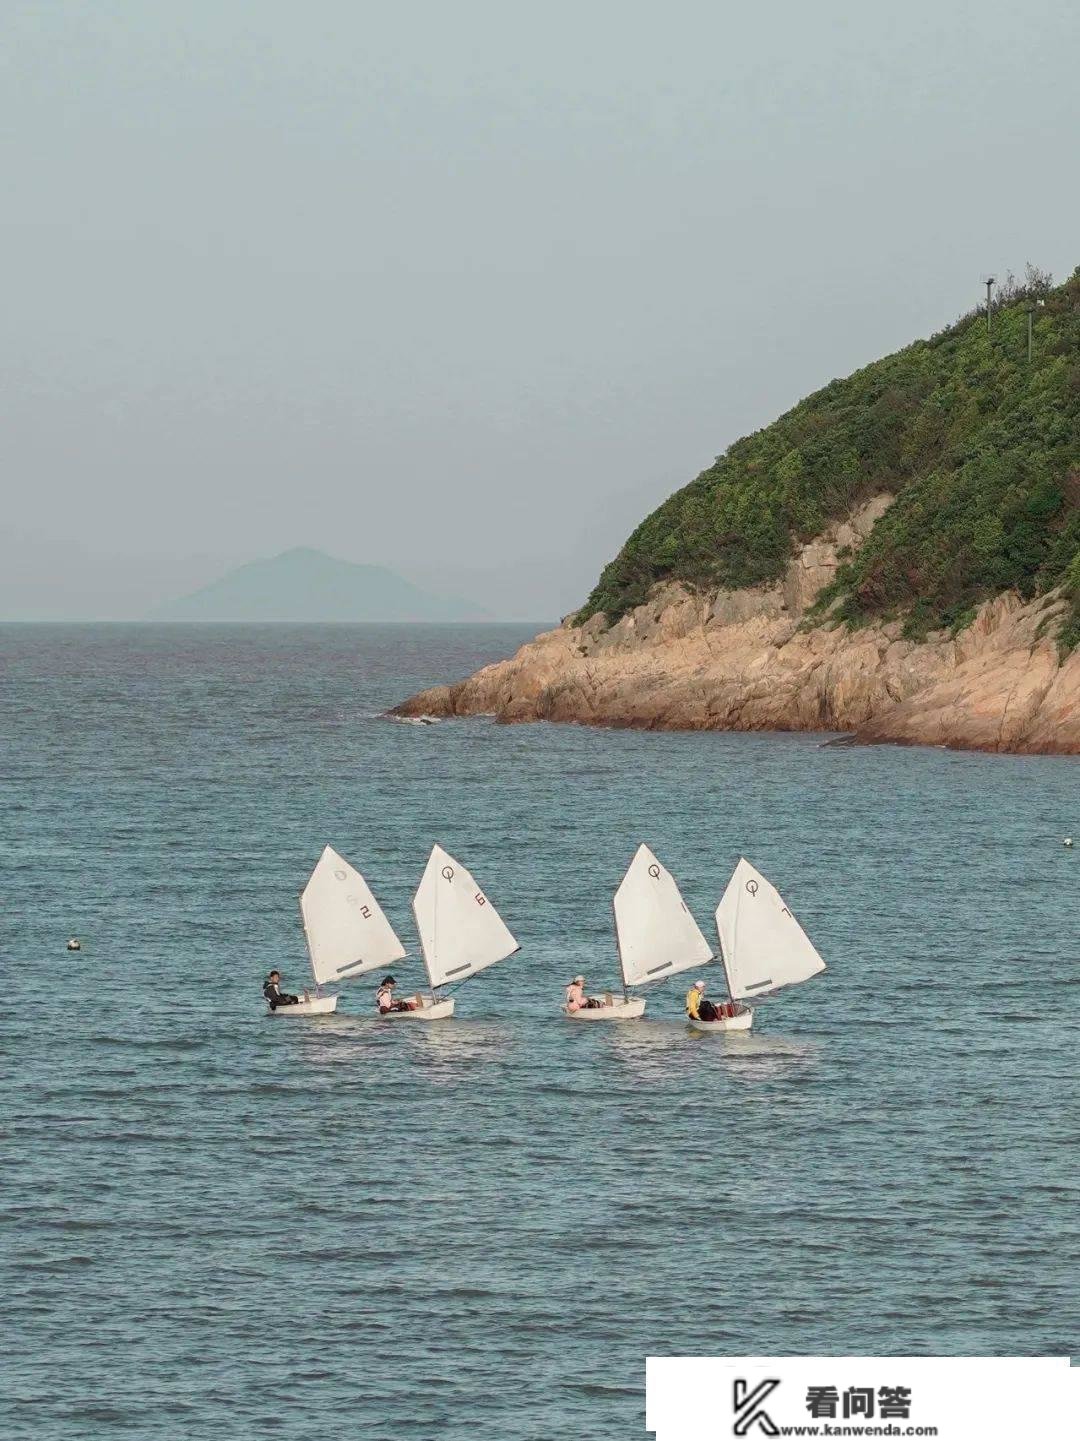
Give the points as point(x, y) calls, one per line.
point(981, 449)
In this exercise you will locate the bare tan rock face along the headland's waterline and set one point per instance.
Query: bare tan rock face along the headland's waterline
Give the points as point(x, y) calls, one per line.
point(746, 661)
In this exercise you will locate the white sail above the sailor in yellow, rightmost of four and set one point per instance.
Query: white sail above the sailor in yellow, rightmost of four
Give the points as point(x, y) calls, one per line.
point(762, 945)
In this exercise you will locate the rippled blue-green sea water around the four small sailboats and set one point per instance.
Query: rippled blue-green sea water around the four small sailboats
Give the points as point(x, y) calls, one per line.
point(220, 1224)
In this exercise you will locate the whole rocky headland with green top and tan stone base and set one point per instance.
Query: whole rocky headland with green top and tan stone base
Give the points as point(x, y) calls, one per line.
point(898, 558)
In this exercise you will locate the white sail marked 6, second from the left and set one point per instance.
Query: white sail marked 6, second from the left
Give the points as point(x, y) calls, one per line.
point(461, 932)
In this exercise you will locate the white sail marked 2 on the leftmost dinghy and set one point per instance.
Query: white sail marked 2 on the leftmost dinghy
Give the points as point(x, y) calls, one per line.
point(344, 923)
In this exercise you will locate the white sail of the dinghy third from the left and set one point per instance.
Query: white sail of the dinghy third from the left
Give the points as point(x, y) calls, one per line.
point(657, 934)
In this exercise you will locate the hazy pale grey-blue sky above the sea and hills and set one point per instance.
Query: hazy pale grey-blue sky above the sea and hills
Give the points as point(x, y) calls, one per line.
point(466, 289)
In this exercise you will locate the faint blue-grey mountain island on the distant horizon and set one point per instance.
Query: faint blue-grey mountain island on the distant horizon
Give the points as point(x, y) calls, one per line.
point(309, 586)
